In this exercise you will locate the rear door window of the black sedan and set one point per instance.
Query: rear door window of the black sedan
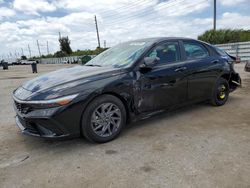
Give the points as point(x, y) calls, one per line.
point(195, 50)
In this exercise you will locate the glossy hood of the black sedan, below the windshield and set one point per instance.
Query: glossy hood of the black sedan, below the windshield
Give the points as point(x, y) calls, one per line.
point(69, 75)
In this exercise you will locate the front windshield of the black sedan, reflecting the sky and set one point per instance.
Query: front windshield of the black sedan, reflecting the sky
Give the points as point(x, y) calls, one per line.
point(121, 55)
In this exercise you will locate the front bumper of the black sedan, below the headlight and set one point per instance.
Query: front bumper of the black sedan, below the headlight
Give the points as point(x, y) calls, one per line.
point(52, 123)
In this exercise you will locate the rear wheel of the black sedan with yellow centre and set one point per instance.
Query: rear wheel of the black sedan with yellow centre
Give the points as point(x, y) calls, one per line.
point(220, 92)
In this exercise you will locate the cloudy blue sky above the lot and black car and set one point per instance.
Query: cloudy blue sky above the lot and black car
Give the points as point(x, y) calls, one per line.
point(23, 22)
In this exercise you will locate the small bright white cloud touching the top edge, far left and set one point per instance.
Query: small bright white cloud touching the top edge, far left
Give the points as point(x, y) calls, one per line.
point(33, 7)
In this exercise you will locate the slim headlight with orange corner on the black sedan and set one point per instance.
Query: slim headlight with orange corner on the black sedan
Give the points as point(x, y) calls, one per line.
point(50, 103)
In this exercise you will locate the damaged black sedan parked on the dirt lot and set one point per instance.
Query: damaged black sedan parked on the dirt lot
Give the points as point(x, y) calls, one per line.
point(130, 81)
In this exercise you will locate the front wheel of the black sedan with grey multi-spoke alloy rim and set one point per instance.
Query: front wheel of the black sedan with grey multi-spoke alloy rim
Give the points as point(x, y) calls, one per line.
point(97, 118)
